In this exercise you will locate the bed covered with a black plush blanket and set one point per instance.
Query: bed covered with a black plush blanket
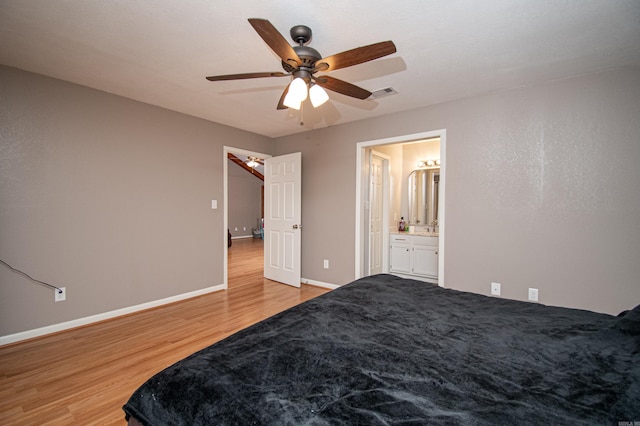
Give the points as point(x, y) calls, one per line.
point(393, 351)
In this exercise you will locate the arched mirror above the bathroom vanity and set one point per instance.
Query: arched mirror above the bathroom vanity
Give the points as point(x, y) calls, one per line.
point(423, 185)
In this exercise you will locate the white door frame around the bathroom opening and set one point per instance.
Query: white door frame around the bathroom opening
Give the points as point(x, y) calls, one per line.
point(362, 195)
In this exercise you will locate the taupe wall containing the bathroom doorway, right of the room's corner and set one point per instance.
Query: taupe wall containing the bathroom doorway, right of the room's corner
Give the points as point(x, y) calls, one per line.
point(541, 190)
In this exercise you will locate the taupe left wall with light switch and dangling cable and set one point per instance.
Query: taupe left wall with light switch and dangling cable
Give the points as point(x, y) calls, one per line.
point(106, 196)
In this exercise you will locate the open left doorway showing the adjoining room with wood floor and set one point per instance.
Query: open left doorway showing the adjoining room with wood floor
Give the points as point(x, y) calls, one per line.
point(243, 210)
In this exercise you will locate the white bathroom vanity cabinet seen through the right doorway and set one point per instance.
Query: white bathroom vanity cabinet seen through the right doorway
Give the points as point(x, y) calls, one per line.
point(414, 255)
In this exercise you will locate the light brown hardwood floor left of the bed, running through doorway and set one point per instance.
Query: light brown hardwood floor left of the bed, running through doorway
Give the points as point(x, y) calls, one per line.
point(84, 376)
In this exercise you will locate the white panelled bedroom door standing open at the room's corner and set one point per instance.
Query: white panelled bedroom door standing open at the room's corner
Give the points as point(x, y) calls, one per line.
point(283, 213)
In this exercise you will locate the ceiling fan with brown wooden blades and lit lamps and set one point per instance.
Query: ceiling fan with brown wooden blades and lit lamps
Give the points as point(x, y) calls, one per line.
point(303, 62)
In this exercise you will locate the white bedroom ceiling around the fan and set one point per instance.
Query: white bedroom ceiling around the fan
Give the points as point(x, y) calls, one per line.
point(160, 51)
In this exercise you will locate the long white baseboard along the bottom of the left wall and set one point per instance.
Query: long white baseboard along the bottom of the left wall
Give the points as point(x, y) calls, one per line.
point(42, 331)
